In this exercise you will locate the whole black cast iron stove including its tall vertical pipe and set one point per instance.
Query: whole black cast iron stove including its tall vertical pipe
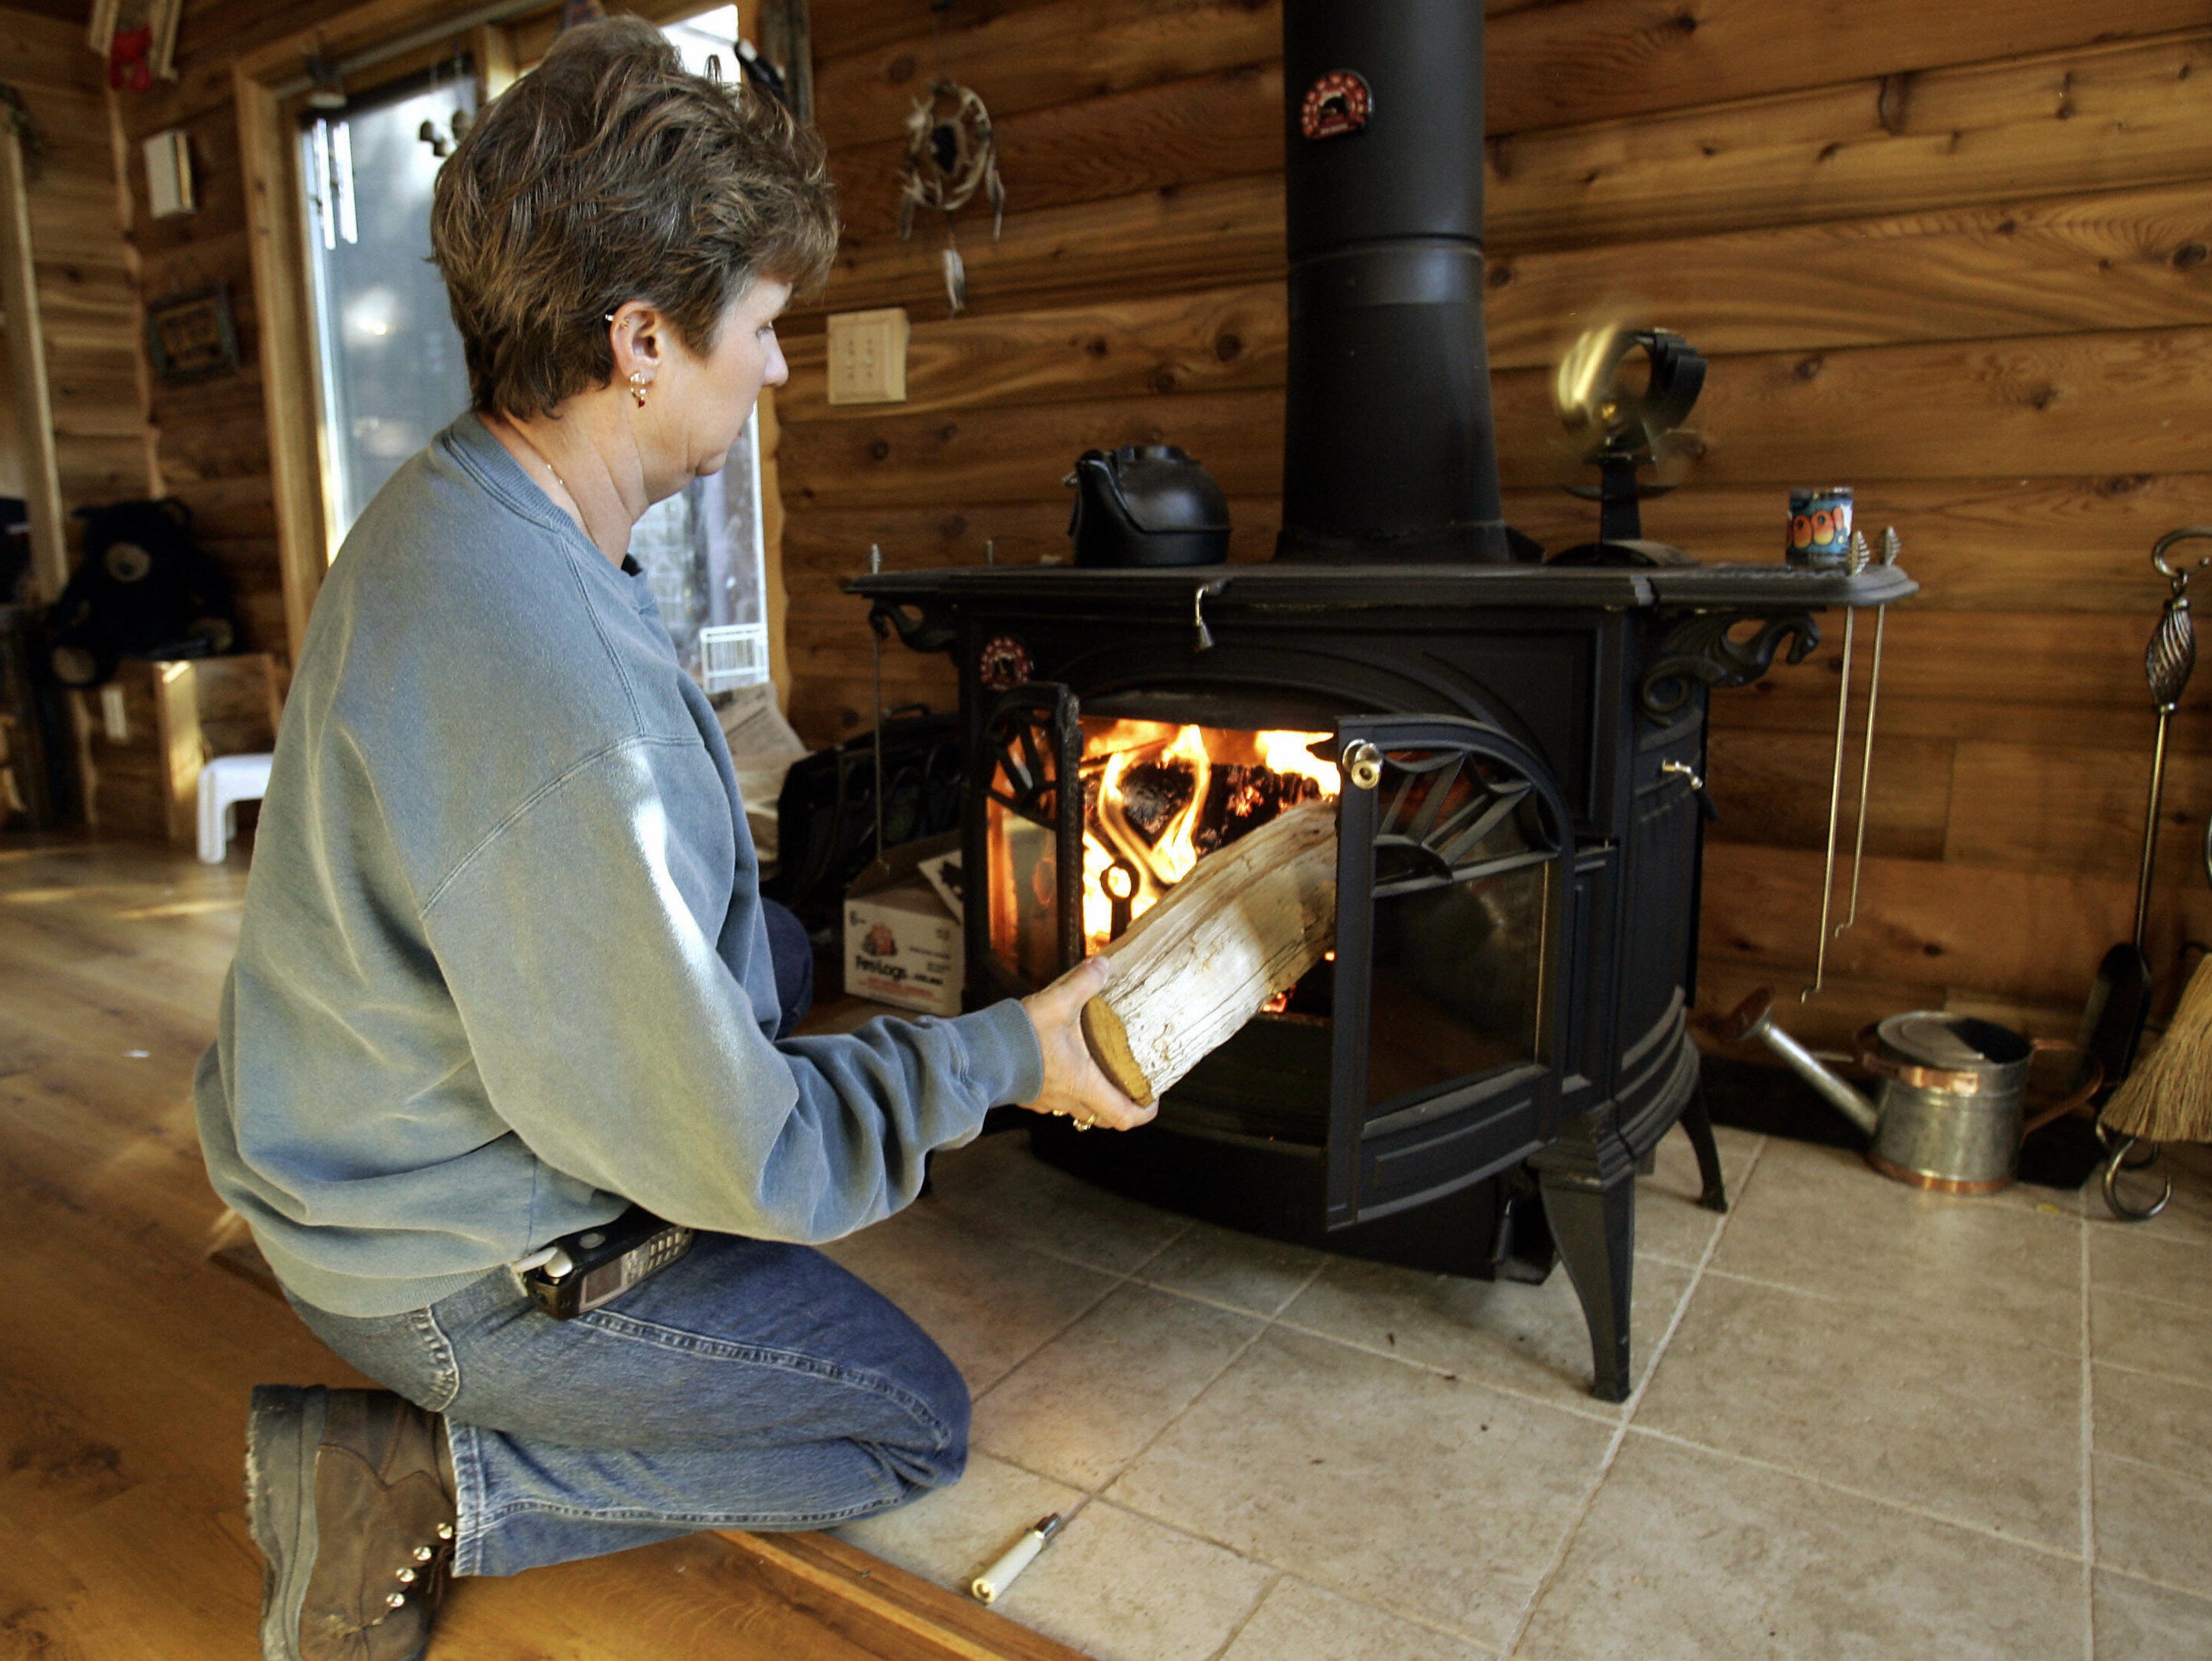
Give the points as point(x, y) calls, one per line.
point(1516, 749)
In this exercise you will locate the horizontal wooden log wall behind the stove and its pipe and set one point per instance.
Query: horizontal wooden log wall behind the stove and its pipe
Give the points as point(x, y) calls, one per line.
point(1959, 258)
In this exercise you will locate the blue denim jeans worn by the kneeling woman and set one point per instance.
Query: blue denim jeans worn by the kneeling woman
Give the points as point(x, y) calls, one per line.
point(751, 1386)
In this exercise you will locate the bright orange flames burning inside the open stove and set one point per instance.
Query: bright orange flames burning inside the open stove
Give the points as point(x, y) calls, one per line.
point(1125, 873)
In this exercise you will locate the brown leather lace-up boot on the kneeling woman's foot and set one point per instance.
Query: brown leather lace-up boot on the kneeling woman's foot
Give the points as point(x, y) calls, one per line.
point(351, 1505)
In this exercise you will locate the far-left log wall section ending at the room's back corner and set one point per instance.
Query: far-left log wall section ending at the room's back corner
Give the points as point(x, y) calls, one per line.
point(83, 271)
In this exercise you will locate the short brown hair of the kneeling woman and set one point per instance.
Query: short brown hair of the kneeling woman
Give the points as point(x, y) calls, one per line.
point(612, 174)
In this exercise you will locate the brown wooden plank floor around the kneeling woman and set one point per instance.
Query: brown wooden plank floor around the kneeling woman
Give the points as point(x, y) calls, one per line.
point(127, 1357)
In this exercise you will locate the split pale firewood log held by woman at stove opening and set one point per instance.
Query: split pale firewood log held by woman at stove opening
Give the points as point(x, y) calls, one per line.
point(1233, 934)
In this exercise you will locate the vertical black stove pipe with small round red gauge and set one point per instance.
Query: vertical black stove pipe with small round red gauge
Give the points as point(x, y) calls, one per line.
point(1388, 437)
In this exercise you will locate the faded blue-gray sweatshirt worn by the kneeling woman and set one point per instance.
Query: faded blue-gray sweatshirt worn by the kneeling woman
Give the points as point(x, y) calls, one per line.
point(503, 965)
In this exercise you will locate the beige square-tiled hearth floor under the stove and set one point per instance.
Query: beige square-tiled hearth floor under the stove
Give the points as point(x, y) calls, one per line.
point(1868, 1423)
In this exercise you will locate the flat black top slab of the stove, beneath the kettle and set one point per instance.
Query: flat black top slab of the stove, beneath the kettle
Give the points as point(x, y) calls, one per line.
point(1755, 589)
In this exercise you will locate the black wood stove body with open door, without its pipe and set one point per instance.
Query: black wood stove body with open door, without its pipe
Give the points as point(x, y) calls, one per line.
point(1516, 755)
